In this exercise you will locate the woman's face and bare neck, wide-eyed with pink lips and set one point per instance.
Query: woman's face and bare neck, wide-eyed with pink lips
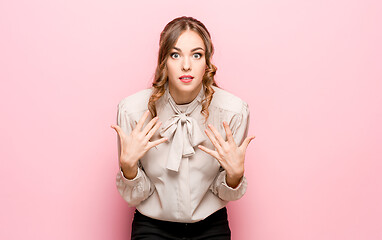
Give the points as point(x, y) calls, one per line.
point(187, 58)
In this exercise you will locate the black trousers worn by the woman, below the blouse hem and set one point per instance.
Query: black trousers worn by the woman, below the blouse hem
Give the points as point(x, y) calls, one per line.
point(214, 227)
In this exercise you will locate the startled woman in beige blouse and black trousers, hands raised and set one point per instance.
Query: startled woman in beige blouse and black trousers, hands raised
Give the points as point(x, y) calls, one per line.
point(176, 180)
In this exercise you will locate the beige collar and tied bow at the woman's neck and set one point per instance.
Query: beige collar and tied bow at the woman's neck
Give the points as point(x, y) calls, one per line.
point(184, 129)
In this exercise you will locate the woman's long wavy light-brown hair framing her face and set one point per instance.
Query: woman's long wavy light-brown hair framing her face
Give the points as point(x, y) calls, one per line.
point(168, 38)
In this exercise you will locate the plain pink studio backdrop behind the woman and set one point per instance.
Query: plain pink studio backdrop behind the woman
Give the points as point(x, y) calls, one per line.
point(310, 71)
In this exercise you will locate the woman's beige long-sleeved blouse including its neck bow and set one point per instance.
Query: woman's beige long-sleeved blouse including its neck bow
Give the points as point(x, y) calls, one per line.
point(177, 181)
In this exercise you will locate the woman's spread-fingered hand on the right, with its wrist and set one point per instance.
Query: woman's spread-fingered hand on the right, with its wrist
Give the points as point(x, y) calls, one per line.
point(230, 156)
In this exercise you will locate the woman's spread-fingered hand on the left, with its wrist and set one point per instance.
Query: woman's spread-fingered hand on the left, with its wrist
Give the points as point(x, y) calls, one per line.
point(135, 145)
